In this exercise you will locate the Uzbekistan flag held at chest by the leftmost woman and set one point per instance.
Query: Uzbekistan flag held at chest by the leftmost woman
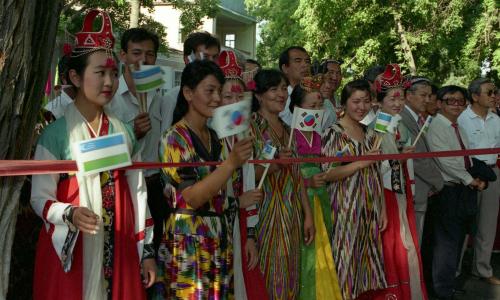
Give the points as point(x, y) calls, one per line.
point(102, 154)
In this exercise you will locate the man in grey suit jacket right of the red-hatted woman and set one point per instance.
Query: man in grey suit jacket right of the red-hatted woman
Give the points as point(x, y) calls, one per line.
point(428, 179)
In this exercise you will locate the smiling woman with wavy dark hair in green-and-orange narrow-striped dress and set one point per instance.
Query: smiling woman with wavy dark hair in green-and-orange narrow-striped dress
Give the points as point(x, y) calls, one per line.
point(279, 227)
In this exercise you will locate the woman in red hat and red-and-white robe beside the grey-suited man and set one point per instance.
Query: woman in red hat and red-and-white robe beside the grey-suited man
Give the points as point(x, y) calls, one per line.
point(402, 262)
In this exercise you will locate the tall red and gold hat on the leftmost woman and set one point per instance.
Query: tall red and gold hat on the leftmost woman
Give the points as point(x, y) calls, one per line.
point(87, 41)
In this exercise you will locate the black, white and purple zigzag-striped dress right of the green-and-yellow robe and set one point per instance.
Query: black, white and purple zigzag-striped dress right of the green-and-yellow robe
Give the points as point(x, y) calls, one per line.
point(356, 204)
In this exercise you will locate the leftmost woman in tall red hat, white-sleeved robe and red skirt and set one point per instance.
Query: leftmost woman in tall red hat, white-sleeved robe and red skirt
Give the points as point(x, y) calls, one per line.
point(97, 229)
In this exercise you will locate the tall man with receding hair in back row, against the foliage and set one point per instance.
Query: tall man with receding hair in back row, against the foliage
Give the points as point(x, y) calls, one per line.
point(295, 63)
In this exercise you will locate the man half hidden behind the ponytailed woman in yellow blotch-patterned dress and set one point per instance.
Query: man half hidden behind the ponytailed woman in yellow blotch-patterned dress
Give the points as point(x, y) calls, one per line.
point(198, 45)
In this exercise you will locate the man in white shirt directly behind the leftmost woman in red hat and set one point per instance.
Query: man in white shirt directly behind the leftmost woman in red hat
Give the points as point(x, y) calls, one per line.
point(141, 46)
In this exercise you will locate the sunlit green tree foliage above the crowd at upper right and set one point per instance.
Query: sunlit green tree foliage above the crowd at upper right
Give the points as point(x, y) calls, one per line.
point(449, 39)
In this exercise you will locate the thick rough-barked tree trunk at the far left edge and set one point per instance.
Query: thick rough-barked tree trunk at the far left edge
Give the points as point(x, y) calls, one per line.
point(27, 36)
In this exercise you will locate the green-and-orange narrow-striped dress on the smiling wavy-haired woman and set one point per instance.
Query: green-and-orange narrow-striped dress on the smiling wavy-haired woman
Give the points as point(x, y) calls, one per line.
point(279, 229)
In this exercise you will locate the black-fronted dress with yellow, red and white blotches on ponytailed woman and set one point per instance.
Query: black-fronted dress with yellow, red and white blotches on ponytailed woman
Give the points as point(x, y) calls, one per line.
point(196, 250)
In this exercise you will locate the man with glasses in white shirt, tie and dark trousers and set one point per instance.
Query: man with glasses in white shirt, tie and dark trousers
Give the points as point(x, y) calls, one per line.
point(455, 206)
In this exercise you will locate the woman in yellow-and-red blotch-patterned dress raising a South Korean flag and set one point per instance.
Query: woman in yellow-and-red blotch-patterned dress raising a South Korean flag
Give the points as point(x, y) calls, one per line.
point(196, 249)
